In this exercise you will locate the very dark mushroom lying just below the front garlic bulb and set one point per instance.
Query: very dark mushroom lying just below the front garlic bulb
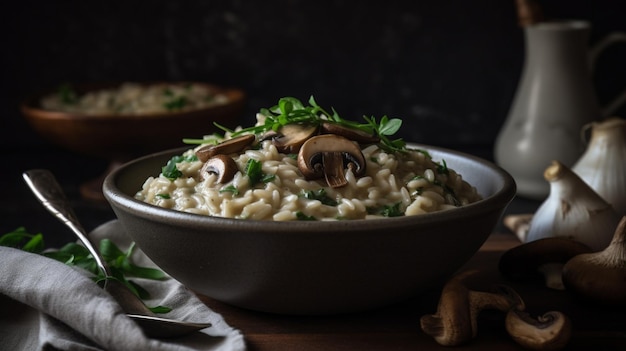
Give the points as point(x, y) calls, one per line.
point(543, 257)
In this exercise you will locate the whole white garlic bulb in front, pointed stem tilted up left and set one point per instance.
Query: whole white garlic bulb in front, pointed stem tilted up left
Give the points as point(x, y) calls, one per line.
point(573, 210)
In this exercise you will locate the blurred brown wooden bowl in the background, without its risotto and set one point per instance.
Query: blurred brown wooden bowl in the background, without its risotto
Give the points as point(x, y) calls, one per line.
point(119, 138)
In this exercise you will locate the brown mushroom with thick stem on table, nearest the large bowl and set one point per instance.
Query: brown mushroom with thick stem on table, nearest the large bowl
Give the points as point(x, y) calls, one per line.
point(455, 322)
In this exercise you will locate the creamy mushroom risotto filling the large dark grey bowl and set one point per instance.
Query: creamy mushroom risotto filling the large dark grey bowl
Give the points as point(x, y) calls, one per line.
point(266, 183)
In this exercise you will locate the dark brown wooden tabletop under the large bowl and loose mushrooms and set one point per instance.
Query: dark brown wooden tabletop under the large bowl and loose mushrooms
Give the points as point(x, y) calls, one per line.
point(397, 327)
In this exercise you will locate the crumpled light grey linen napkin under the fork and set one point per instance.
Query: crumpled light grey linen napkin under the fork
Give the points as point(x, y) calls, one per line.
point(47, 305)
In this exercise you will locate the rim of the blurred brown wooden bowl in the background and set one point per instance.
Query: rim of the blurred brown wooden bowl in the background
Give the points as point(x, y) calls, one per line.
point(31, 106)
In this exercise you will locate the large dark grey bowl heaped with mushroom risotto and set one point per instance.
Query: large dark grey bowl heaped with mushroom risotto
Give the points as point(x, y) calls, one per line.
point(311, 220)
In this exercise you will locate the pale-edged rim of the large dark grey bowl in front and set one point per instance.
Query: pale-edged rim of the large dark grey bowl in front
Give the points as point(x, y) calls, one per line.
point(496, 202)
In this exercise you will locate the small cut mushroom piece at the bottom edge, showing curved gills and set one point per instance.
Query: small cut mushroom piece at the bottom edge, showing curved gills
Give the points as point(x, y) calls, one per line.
point(550, 331)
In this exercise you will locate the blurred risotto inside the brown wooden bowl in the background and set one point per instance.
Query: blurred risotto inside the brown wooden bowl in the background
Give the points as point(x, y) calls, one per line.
point(134, 98)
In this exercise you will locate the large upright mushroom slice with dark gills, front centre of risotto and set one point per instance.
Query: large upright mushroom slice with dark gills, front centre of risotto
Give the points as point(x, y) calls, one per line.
point(327, 156)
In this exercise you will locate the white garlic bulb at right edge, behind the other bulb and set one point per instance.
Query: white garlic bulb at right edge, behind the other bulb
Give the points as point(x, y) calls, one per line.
point(603, 164)
